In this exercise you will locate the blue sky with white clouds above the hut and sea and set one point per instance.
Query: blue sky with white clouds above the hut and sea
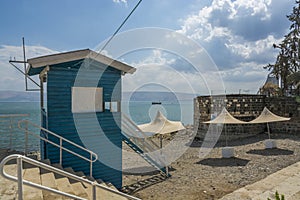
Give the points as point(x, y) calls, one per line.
point(237, 35)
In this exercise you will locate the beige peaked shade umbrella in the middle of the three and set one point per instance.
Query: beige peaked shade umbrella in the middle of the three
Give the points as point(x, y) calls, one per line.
point(225, 118)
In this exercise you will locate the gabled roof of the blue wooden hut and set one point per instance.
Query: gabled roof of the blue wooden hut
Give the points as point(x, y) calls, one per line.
point(36, 65)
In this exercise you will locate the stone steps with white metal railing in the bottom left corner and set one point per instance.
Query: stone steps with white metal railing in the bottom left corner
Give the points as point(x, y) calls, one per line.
point(63, 180)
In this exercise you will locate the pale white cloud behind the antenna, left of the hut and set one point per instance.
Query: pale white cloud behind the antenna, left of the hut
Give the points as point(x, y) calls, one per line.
point(11, 79)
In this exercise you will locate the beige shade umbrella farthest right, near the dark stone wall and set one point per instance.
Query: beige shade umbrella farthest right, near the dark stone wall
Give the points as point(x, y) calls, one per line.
point(267, 116)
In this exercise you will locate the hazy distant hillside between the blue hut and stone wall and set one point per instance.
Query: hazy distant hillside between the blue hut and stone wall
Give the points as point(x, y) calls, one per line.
point(157, 96)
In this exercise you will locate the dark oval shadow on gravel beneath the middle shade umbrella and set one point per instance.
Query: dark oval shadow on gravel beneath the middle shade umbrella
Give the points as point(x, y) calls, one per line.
point(223, 162)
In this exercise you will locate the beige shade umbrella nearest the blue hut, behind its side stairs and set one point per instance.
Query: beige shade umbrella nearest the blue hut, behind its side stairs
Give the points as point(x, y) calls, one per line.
point(161, 125)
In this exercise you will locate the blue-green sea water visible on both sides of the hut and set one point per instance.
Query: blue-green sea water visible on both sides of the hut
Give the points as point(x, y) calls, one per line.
point(11, 136)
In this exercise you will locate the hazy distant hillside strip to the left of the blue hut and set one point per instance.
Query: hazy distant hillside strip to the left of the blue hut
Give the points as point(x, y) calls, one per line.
point(18, 96)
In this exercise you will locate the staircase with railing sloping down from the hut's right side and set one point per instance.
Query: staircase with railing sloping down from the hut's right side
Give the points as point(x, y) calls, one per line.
point(143, 145)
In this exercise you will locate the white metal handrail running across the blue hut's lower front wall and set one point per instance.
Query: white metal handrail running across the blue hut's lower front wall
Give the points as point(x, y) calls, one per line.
point(93, 156)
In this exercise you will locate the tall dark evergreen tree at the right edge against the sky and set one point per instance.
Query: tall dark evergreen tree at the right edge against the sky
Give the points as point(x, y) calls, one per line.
point(287, 61)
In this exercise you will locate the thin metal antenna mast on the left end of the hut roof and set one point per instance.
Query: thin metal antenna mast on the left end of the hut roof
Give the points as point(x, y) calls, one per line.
point(14, 64)
